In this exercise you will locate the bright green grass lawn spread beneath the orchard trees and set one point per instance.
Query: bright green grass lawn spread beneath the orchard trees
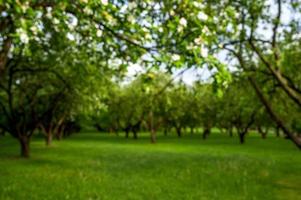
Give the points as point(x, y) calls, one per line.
point(98, 166)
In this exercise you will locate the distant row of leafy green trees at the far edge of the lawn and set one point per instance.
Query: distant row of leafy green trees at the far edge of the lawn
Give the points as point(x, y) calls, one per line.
point(151, 102)
